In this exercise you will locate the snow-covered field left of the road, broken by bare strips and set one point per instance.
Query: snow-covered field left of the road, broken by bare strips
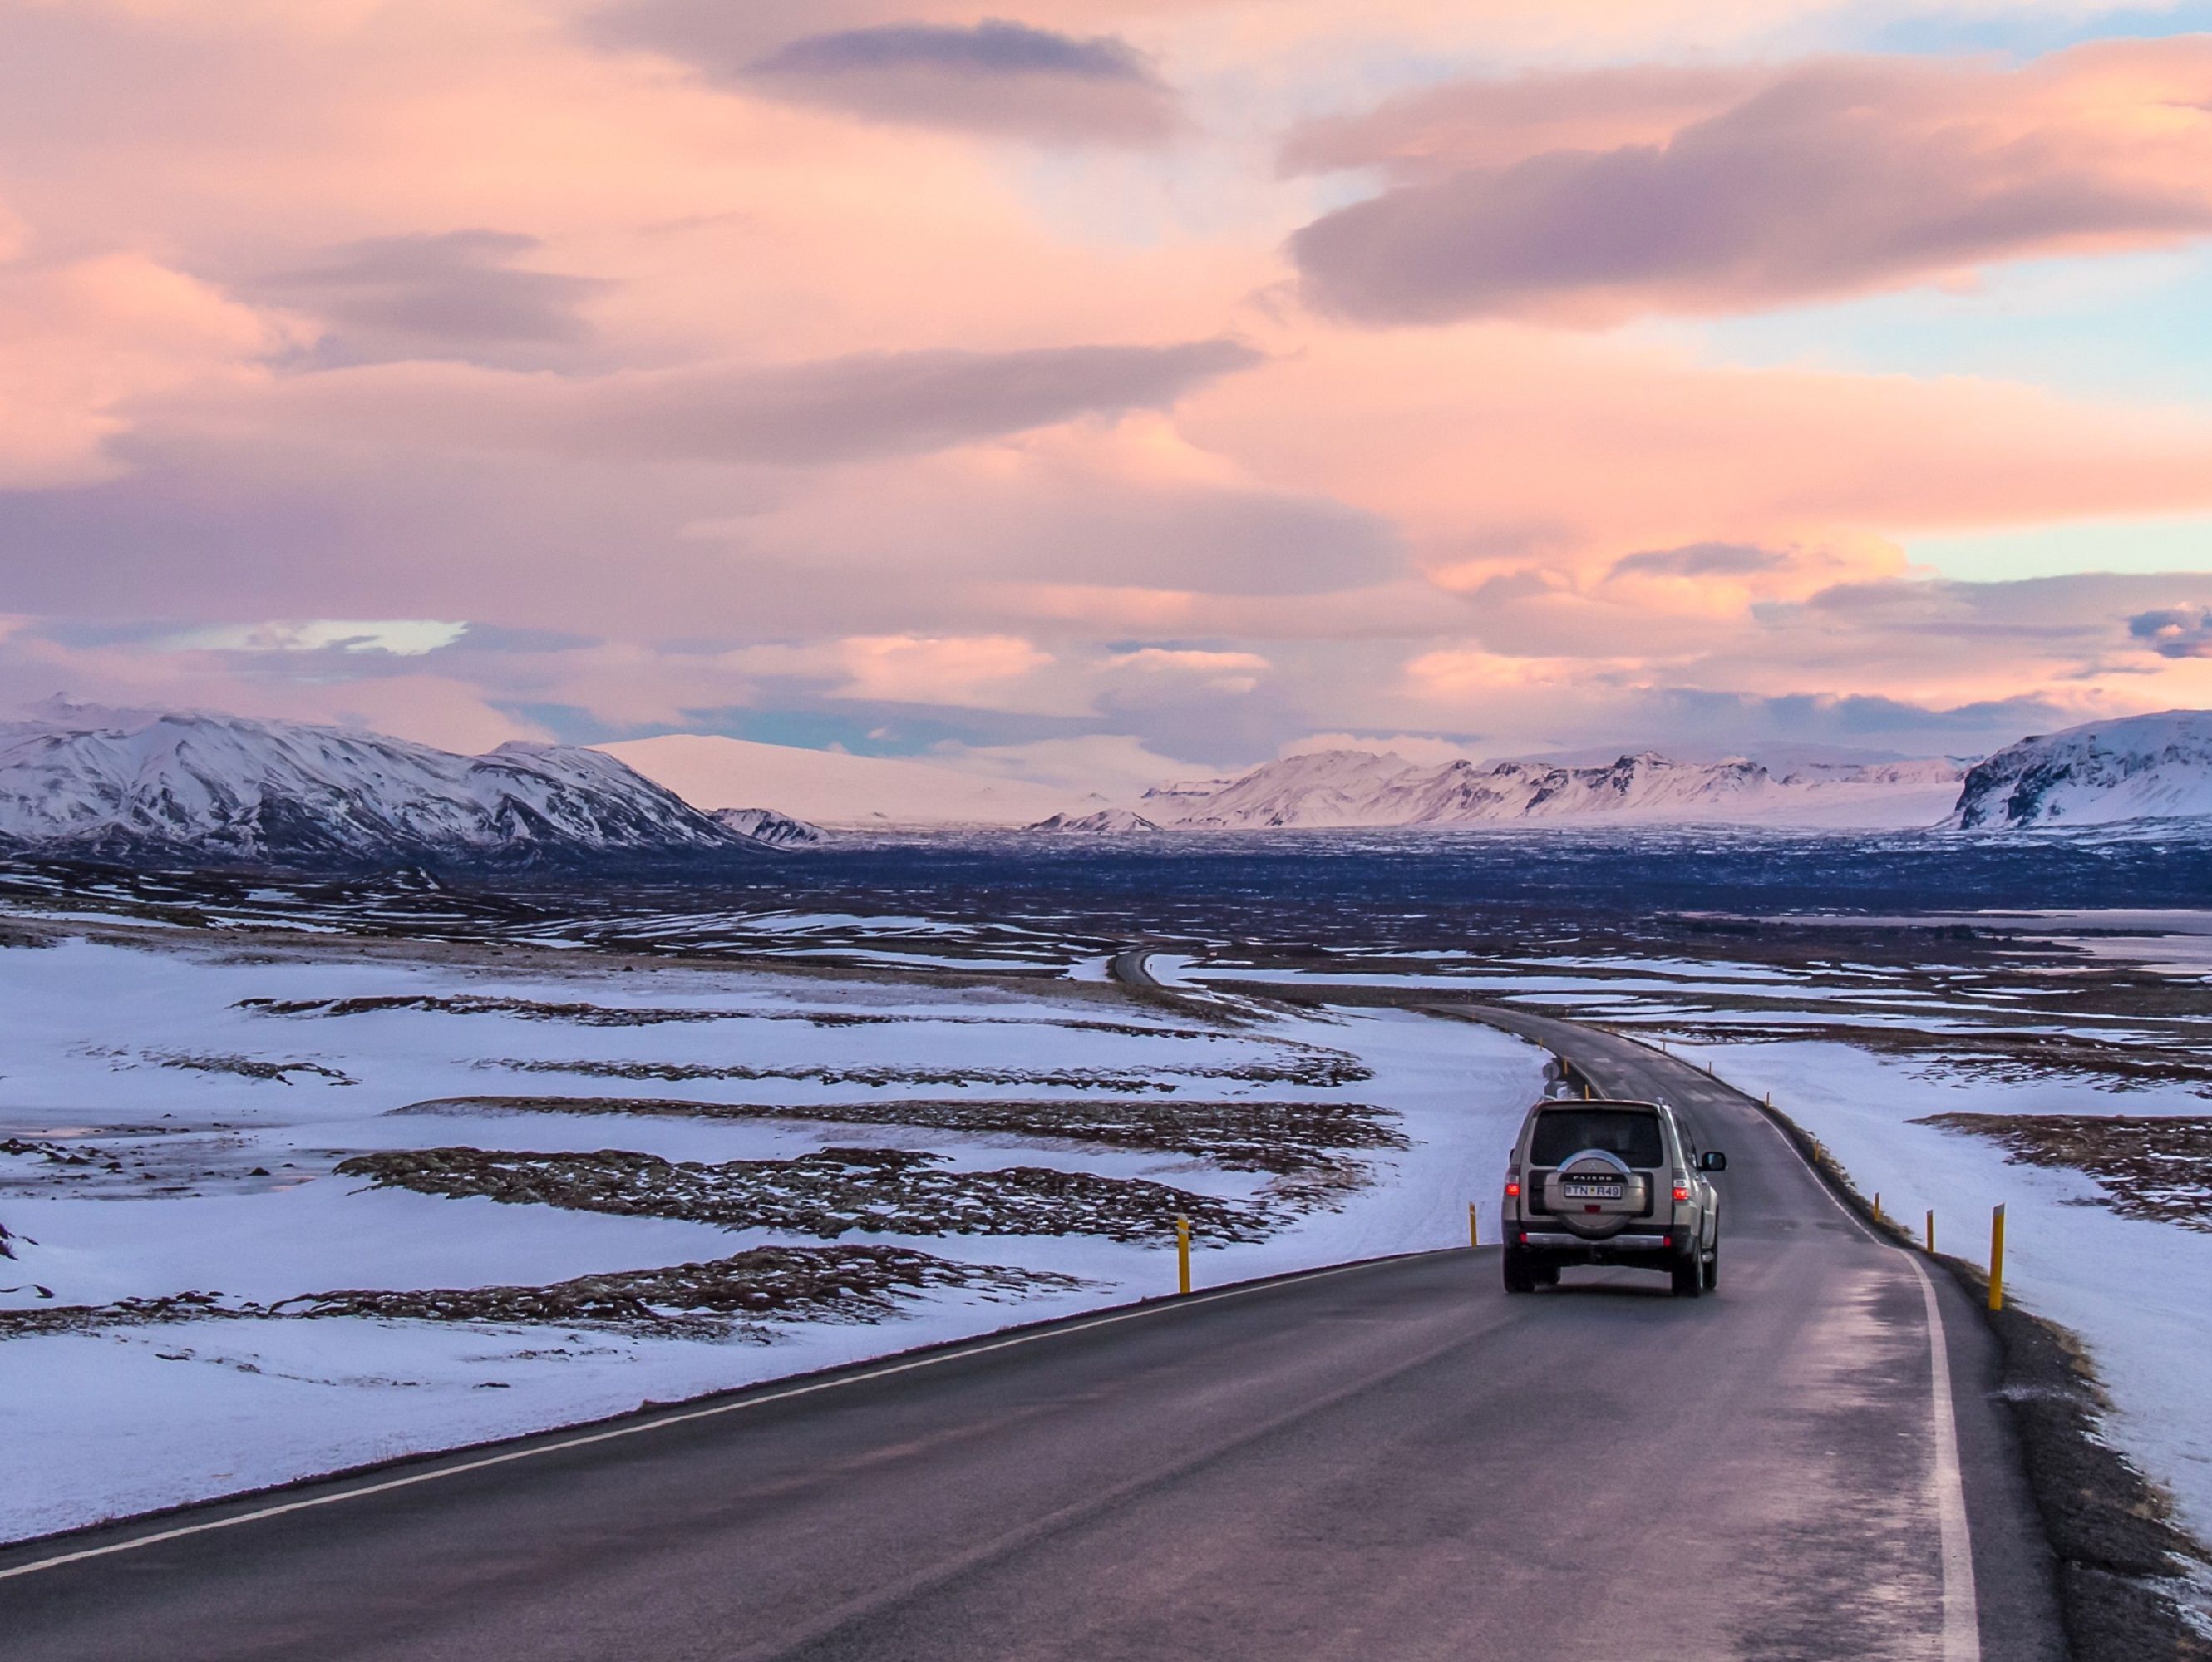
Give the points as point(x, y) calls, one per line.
point(136, 1048)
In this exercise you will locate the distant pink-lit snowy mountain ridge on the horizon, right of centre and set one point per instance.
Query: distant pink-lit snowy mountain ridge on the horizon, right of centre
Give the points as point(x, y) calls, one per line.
point(1368, 789)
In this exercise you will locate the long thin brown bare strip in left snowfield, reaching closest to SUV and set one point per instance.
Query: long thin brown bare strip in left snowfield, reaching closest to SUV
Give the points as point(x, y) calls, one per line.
point(1280, 1139)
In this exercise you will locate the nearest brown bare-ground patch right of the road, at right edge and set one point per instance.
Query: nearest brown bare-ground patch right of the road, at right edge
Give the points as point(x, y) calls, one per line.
point(2153, 1167)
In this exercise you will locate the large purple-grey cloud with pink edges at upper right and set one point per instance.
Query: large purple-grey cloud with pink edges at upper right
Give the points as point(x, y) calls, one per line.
point(1592, 198)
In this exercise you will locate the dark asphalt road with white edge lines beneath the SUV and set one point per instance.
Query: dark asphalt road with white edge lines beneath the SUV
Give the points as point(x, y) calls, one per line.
point(1384, 1462)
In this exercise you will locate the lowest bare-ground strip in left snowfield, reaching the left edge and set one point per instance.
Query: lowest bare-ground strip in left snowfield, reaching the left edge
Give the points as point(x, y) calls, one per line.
point(716, 1300)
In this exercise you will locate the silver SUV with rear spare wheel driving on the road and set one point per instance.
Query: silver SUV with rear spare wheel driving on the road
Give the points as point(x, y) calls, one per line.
point(1611, 1183)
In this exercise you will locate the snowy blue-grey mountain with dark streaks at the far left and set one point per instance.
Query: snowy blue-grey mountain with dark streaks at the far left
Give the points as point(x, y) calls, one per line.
point(194, 789)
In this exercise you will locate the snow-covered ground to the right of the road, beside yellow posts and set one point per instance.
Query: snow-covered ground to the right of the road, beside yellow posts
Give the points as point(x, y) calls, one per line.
point(2138, 1291)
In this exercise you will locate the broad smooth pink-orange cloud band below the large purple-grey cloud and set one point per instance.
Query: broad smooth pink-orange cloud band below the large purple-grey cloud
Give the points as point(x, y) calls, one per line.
point(1501, 446)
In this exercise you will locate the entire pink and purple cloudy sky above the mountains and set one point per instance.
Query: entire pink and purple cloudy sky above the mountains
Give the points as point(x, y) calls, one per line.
point(1112, 386)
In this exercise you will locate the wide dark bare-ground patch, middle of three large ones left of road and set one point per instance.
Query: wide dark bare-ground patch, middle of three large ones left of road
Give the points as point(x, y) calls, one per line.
point(833, 1192)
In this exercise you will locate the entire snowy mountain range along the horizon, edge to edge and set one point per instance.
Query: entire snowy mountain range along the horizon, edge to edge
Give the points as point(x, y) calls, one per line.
point(196, 789)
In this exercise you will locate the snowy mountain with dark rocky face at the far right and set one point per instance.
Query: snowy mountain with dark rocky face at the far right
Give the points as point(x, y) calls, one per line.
point(2142, 767)
